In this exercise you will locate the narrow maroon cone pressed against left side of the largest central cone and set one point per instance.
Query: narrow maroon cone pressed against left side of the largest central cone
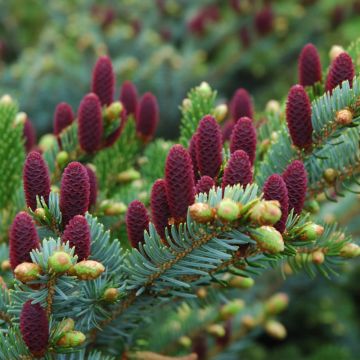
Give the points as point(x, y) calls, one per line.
point(159, 207)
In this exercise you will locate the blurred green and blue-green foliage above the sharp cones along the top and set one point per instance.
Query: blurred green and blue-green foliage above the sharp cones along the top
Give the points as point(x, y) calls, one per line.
point(48, 47)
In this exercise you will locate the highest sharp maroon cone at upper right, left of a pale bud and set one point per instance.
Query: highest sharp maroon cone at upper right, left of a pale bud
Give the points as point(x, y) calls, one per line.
point(309, 66)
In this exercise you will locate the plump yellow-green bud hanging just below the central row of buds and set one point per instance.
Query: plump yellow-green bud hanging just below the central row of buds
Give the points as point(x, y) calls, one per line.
point(268, 239)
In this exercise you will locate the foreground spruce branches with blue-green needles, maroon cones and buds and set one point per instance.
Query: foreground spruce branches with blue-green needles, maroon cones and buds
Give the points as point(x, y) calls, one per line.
point(120, 234)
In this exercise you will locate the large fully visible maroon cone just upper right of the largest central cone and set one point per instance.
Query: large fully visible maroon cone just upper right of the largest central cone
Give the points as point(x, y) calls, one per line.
point(209, 147)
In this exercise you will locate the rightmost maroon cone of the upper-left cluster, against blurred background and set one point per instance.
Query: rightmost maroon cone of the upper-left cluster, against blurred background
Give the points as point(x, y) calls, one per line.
point(147, 116)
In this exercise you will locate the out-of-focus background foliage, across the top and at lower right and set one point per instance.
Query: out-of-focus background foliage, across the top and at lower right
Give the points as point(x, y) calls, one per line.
point(47, 51)
